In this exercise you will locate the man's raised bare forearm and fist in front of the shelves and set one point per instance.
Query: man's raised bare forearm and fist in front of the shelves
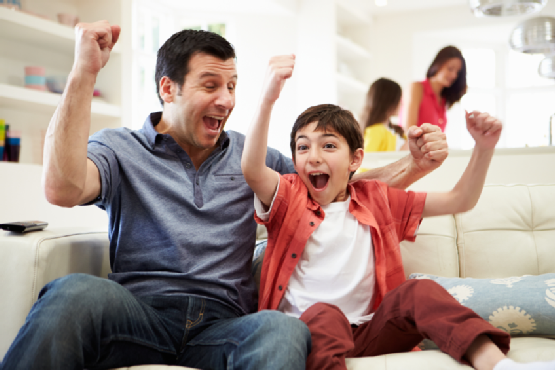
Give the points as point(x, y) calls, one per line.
point(69, 178)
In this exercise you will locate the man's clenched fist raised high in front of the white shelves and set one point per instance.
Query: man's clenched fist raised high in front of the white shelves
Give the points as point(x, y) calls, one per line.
point(93, 44)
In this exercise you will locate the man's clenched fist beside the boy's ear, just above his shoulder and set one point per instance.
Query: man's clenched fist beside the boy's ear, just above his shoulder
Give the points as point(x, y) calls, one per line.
point(428, 146)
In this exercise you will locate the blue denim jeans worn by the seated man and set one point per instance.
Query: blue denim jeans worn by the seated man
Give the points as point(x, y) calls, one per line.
point(81, 321)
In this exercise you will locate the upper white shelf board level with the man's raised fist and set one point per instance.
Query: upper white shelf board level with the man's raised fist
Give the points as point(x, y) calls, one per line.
point(39, 32)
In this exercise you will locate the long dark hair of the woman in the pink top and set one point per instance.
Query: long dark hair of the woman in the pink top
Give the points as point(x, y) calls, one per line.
point(455, 92)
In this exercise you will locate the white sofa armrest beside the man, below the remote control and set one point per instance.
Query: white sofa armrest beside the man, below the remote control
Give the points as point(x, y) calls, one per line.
point(31, 260)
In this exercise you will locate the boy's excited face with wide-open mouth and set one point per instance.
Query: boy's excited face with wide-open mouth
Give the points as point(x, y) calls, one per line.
point(324, 162)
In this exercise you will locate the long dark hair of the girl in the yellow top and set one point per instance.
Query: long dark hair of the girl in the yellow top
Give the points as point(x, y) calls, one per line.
point(383, 96)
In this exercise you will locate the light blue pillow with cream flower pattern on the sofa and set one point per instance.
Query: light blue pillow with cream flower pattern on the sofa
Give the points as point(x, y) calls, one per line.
point(520, 306)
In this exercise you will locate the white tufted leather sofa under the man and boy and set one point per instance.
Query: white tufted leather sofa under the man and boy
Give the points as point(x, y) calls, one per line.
point(511, 232)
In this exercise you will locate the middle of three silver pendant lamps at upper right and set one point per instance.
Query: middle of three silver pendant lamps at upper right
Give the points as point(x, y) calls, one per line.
point(534, 36)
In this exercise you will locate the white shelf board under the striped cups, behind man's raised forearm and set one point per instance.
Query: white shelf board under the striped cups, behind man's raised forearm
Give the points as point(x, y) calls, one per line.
point(46, 102)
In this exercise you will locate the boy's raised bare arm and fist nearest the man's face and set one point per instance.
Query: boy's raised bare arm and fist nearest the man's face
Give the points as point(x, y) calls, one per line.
point(262, 179)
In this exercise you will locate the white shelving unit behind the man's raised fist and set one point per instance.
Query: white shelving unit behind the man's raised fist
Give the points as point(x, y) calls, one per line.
point(30, 40)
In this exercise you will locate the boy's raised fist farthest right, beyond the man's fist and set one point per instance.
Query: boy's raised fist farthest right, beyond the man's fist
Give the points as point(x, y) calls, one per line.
point(484, 129)
